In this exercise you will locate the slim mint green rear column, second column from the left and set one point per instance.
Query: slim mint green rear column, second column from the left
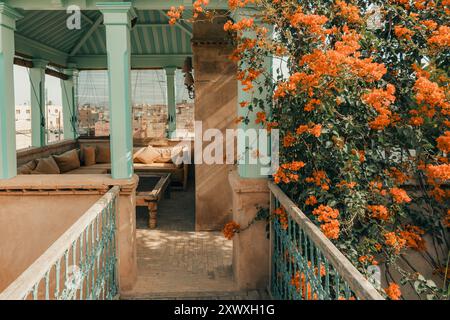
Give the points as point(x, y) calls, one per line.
point(37, 87)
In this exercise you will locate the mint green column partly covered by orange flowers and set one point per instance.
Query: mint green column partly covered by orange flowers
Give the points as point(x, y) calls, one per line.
point(249, 166)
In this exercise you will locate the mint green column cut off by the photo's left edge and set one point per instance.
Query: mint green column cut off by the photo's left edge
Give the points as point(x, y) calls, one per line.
point(8, 160)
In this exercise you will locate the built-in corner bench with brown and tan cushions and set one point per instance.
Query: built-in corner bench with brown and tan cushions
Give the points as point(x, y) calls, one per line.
point(94, 157)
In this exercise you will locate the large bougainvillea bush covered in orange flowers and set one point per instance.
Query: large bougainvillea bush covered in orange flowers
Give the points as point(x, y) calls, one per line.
point(364, 118)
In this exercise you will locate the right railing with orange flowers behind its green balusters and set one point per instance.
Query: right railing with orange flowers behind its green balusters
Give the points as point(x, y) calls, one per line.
point(305, 265)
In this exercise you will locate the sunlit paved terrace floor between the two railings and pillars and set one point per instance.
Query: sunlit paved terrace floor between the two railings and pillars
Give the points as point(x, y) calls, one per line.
point(175, 262)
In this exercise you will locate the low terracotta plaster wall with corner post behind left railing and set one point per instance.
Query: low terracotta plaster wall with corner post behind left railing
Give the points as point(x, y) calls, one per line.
point(31, 220)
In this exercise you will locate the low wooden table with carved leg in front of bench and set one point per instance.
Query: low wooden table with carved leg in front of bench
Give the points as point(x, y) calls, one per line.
point(151, 188)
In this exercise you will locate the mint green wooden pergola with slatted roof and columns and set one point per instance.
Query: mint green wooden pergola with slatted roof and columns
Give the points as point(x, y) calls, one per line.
point(114, 35)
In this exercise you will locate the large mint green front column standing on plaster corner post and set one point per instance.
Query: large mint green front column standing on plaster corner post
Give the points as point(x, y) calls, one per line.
point(117, 19)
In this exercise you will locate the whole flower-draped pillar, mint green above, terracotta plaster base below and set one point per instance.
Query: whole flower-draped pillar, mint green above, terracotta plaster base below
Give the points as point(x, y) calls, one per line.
point(250, 189)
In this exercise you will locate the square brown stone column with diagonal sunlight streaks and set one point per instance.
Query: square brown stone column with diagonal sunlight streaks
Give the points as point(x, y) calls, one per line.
point(215, 103)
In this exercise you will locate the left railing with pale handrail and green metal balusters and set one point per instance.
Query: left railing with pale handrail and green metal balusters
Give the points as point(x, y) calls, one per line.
point(81, 264)
